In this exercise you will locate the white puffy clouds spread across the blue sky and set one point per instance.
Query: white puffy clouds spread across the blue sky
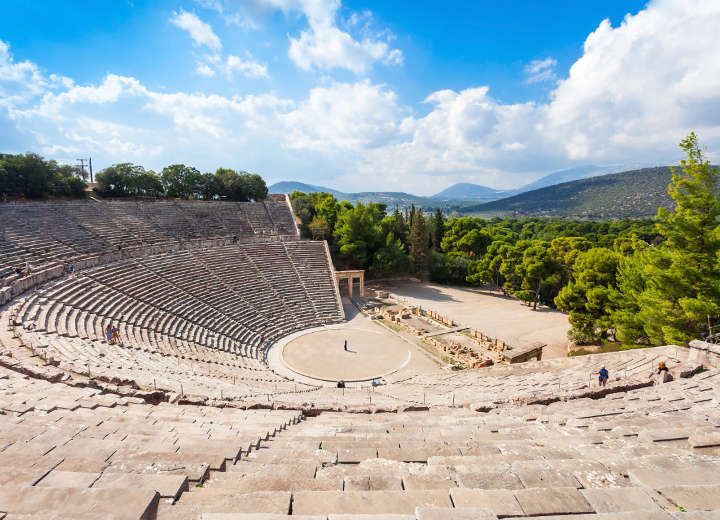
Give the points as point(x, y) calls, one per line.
point(637, 90)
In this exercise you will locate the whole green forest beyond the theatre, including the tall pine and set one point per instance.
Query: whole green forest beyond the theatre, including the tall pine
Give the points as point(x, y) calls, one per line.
point(636, 281)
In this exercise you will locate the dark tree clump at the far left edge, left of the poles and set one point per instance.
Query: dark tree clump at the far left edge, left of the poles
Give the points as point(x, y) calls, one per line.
point(31, 176)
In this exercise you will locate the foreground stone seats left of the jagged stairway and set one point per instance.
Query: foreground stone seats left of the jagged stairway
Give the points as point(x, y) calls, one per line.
point(71, 452)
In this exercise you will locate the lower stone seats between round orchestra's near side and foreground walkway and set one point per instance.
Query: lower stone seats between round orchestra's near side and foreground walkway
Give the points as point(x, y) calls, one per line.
point(492, 387)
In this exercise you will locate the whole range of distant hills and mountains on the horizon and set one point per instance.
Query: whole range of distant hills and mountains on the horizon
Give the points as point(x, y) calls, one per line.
point(582, 192)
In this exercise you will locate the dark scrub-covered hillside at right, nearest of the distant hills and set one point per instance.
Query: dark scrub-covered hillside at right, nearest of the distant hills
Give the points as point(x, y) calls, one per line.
point(631, 194)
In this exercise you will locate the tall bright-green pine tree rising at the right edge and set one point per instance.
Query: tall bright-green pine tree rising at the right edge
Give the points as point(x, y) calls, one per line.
point(681, 294)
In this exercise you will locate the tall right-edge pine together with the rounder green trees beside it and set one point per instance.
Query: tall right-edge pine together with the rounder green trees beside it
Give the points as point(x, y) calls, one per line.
point(658, 293)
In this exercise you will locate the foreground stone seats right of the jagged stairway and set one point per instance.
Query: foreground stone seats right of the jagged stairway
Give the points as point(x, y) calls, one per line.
point(621, 457)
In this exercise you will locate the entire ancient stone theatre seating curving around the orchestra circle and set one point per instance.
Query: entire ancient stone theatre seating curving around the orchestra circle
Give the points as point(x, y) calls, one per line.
point(184, 420)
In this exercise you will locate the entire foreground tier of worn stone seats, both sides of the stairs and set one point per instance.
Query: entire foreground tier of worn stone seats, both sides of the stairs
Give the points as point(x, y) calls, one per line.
point(645, 454)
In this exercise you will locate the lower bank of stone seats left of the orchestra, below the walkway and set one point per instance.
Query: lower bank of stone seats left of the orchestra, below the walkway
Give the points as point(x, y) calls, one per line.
point(238, 298)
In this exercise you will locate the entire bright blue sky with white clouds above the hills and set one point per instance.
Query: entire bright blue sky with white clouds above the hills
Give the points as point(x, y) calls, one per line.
point(372, 95)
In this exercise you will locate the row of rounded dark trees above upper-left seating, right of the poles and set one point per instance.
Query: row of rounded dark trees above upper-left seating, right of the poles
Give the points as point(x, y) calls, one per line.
point(181, 181)
